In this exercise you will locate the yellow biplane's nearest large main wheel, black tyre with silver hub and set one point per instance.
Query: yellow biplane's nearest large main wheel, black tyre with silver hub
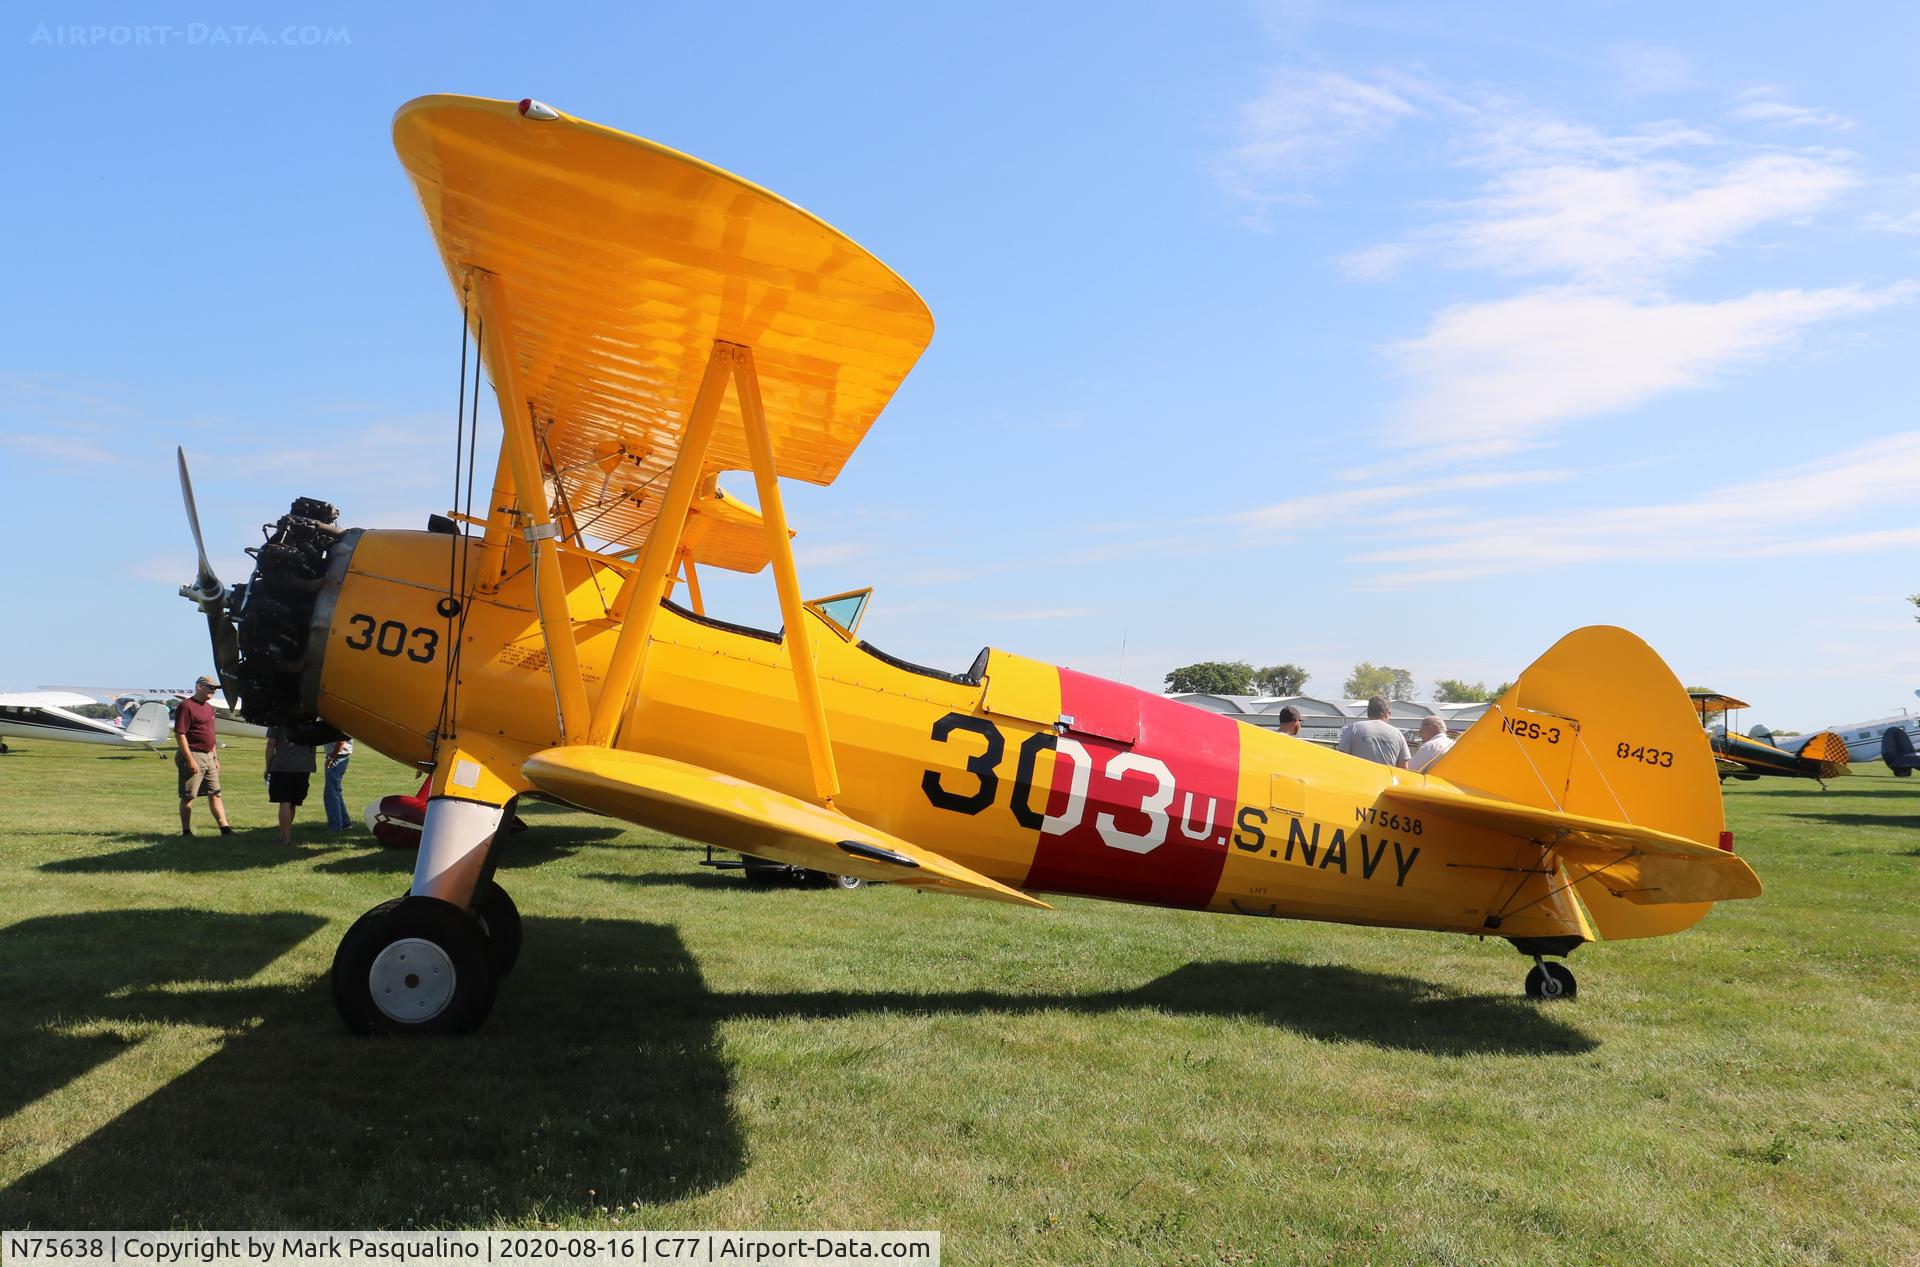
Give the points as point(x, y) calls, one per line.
point(414, 967)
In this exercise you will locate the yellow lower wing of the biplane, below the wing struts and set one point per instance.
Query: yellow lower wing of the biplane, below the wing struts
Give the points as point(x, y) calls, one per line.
point(719, 809)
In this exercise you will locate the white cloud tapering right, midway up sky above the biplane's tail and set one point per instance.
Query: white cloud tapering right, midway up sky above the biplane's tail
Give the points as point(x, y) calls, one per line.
point(1493, 379)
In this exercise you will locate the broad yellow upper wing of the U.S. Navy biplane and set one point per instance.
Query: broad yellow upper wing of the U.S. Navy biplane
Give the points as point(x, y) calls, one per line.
point(623, 262)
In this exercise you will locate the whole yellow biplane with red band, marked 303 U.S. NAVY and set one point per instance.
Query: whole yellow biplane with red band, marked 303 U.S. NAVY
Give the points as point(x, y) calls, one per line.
point(650, 323)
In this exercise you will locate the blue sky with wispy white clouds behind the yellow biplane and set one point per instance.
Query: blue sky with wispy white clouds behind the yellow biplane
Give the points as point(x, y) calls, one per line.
point(1408, 335)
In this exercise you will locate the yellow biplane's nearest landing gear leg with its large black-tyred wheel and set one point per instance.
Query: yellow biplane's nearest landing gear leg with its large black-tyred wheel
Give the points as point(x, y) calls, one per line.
point(425, 965)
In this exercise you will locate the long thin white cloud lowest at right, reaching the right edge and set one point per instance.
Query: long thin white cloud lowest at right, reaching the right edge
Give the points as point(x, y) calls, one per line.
point(1787, 514)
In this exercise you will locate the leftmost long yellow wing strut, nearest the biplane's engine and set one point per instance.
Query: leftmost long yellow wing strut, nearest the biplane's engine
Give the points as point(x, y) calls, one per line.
point(542, 535)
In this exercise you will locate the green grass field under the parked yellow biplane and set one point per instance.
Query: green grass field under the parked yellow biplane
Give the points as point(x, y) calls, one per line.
point(1095, 1086)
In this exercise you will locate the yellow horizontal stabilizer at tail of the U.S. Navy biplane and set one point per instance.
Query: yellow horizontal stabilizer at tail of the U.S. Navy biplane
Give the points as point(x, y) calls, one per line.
point(1641, 865)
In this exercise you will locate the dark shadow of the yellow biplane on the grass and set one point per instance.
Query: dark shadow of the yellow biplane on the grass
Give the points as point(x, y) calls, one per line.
point(610, 1074)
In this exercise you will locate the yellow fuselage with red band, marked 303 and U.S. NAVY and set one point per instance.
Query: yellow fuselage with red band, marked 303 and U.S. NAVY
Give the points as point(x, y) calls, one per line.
point(1032, 775)
